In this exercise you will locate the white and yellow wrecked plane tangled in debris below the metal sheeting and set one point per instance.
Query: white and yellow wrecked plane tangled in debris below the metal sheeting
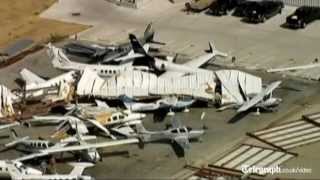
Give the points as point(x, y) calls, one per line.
point(82, 121)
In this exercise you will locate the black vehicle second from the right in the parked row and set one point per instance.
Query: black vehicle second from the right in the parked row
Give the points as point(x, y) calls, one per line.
point(263, 10)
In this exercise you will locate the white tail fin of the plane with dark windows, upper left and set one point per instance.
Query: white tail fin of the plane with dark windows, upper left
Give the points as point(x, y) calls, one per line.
point(59, 58)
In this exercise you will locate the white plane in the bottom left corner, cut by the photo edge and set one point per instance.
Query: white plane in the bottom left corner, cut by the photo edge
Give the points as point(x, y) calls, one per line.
point(18, 171)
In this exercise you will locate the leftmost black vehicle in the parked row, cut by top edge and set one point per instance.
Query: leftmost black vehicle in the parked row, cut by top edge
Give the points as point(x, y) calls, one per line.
point(222, 7)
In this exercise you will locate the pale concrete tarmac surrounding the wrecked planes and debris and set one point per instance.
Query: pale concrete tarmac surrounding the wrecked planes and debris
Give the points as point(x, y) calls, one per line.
point(255, 46)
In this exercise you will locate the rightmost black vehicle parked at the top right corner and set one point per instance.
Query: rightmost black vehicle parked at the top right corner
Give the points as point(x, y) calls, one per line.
point(303, 16)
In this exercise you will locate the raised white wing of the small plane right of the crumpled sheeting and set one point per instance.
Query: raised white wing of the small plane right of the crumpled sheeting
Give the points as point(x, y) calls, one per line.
point(256, 99)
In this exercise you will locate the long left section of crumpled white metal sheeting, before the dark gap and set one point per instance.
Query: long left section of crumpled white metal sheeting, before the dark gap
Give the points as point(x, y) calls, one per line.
point(143, 84)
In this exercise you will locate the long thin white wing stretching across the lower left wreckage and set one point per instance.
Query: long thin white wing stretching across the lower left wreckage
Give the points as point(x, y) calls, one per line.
point(50, 151)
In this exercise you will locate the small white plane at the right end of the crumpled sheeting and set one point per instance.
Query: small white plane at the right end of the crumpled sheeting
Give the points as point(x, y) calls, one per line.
point(263, 100)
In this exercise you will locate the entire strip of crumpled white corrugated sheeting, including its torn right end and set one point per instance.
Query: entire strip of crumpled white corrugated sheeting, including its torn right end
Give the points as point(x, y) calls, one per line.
point(143, 84)
